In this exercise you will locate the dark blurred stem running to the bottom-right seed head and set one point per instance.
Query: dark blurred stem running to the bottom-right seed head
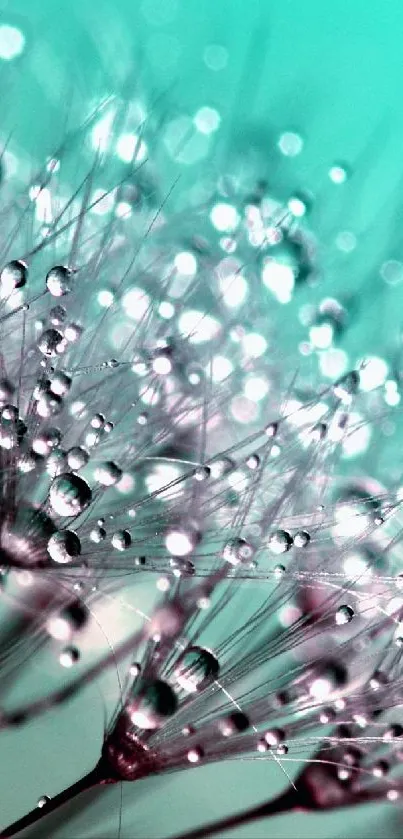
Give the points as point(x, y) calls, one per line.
point(285, 803)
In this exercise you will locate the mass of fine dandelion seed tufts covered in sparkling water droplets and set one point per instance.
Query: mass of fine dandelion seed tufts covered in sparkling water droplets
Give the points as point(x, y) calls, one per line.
point(151, 421)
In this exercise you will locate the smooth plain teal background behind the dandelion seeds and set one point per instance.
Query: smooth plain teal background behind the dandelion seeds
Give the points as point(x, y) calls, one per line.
point(334, 73)
